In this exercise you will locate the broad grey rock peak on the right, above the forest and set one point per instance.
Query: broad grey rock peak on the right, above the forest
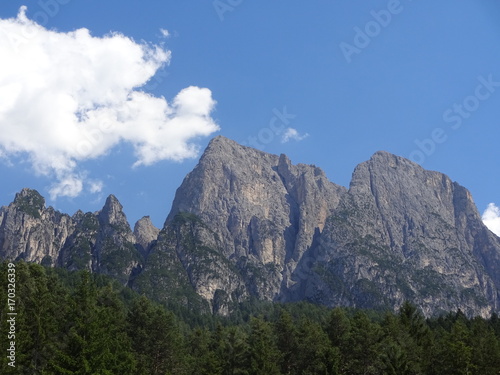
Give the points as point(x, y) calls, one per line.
point(403, 233)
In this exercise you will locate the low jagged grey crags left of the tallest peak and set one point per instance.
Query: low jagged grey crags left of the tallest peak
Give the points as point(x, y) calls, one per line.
point(100, 242)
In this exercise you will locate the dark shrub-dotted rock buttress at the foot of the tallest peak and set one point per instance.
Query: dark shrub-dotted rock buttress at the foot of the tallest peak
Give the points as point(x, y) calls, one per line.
point(187, 261)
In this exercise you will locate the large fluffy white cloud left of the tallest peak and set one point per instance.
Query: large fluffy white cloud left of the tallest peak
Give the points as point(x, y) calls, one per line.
point(70, 97)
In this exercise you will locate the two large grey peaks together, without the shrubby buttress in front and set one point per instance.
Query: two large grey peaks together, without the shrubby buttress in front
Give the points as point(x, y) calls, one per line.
point(399, 233)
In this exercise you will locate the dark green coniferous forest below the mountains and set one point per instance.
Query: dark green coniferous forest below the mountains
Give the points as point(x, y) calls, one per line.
point(81, 323)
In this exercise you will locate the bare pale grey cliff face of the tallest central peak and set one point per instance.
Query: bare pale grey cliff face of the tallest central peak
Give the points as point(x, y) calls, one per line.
point(265, 210)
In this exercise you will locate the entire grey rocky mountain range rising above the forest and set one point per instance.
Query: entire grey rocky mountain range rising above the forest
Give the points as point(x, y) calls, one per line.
point(248, 224)
